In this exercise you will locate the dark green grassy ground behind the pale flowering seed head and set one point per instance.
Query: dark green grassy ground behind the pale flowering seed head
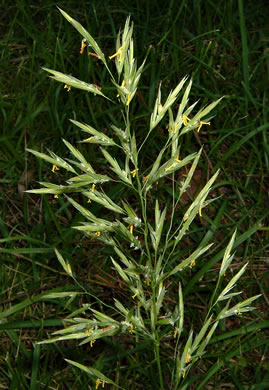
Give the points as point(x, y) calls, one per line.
point(223, 45)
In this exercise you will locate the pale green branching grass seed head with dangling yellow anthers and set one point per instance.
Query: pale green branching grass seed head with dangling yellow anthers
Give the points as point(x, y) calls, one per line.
point(142, 244)
